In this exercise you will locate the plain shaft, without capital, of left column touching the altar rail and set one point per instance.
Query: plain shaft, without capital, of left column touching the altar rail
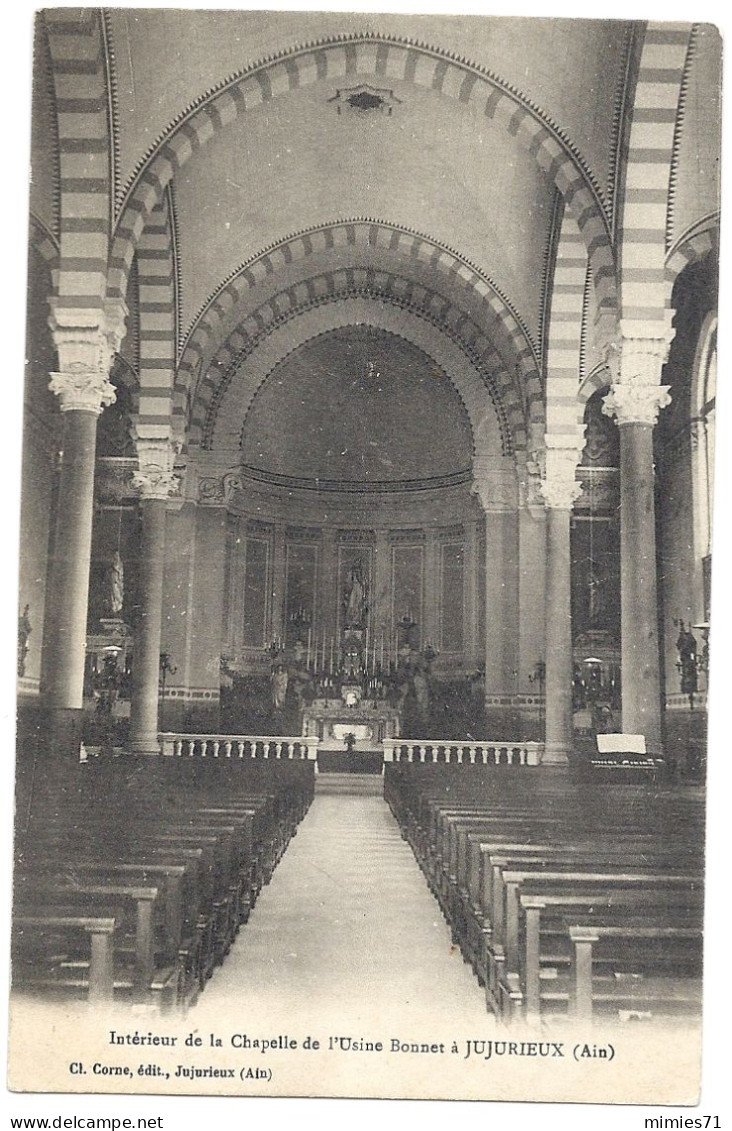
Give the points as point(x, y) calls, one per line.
point(144, 719)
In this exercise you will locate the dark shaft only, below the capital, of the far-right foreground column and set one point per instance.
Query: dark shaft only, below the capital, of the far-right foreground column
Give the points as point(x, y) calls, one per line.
point(639, 605)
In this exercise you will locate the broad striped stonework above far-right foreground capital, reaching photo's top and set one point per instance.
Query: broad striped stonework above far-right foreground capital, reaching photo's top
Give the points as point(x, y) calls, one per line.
point(649, 179)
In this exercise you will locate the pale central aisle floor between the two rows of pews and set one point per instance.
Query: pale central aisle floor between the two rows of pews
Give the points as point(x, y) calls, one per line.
point(349, 931)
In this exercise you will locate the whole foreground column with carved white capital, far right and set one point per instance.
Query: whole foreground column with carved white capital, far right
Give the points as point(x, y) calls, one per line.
point(635, 402)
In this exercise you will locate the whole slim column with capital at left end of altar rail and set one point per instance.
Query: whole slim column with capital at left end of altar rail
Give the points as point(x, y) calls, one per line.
point(156, 482)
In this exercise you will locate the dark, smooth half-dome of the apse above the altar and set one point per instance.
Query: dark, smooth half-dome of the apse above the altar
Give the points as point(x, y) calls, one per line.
point(358, 405)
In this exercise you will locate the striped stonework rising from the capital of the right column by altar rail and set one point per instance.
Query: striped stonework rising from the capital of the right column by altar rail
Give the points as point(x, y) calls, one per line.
point(565, 333)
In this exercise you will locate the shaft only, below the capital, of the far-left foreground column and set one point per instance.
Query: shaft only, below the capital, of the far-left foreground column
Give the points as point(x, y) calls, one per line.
point(70, 584)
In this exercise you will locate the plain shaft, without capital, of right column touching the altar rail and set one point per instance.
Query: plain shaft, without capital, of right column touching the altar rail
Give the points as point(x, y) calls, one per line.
point(558, 640)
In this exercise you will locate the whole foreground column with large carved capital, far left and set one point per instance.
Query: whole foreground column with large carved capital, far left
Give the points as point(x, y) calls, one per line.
point(83, 386)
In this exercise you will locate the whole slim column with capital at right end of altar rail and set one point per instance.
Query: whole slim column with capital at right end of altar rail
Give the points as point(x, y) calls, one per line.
point(559, 489)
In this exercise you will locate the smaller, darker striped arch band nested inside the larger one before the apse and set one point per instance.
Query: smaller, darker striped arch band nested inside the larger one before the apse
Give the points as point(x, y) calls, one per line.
point(345, 287)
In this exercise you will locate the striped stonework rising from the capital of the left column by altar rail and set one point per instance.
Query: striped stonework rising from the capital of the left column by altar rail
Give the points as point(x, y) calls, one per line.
point(158, 321)
